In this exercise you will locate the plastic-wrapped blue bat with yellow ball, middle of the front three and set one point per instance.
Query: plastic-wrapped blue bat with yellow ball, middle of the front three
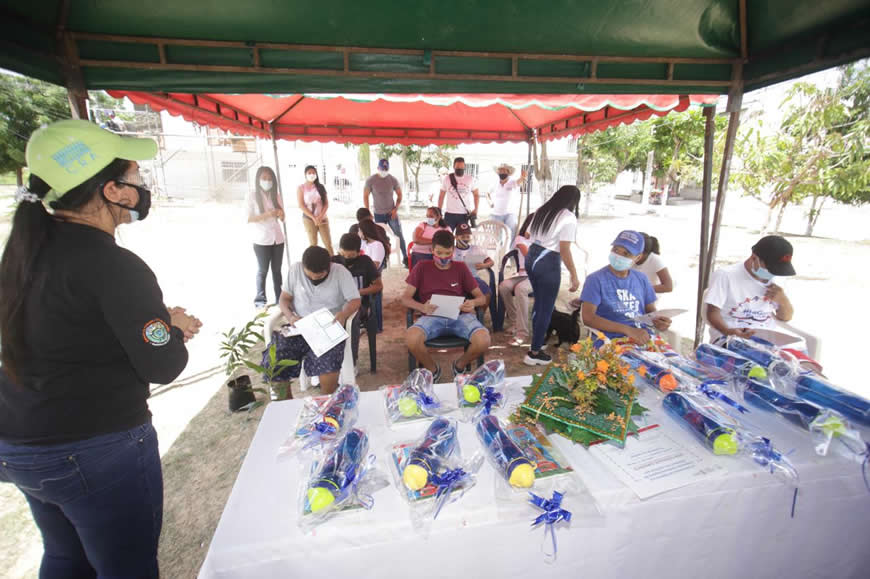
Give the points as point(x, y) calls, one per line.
point(430, 472)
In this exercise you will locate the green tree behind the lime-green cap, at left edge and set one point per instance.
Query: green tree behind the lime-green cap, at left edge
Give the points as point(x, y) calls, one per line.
point(25, 105)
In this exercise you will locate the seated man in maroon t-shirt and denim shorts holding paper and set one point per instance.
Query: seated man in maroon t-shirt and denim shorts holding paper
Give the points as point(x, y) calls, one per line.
point(443, 276)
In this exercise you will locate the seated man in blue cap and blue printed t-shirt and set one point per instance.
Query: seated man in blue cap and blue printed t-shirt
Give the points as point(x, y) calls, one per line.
point(616, 294)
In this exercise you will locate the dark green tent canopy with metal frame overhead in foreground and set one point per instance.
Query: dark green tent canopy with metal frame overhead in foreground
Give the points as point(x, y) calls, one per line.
point(444, 46)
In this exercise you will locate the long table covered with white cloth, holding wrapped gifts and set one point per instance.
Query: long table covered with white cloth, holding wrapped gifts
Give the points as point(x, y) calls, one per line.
point(737, 525)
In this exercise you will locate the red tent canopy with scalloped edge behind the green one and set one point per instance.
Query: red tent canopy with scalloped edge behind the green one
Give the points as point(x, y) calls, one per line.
point(414, 119)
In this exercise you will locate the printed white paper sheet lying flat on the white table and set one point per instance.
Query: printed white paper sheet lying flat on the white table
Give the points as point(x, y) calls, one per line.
point(656, 461)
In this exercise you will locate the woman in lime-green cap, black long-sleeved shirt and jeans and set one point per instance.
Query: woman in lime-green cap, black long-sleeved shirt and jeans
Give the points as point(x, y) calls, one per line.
point(83, 332)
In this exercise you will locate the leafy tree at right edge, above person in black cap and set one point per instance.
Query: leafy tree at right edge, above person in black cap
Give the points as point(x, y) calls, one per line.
point(819, 150)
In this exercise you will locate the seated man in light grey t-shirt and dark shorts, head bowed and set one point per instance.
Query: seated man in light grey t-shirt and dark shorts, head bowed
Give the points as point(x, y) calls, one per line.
point(312, 284)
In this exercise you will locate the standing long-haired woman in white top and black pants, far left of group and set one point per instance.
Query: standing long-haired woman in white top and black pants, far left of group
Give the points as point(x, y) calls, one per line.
point(265, 210)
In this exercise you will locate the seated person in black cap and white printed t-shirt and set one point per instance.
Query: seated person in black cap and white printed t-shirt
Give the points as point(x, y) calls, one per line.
point(744, 297)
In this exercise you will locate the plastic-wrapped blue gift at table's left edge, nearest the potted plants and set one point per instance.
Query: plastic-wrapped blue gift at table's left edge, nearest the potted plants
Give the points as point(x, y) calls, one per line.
point(323, 420)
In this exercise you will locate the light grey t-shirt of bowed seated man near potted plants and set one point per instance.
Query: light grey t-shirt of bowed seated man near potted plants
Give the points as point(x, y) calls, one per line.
point(333, 293)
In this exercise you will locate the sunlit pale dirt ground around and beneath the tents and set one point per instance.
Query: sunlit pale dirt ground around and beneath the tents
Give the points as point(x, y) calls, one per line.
point(196, 252)
